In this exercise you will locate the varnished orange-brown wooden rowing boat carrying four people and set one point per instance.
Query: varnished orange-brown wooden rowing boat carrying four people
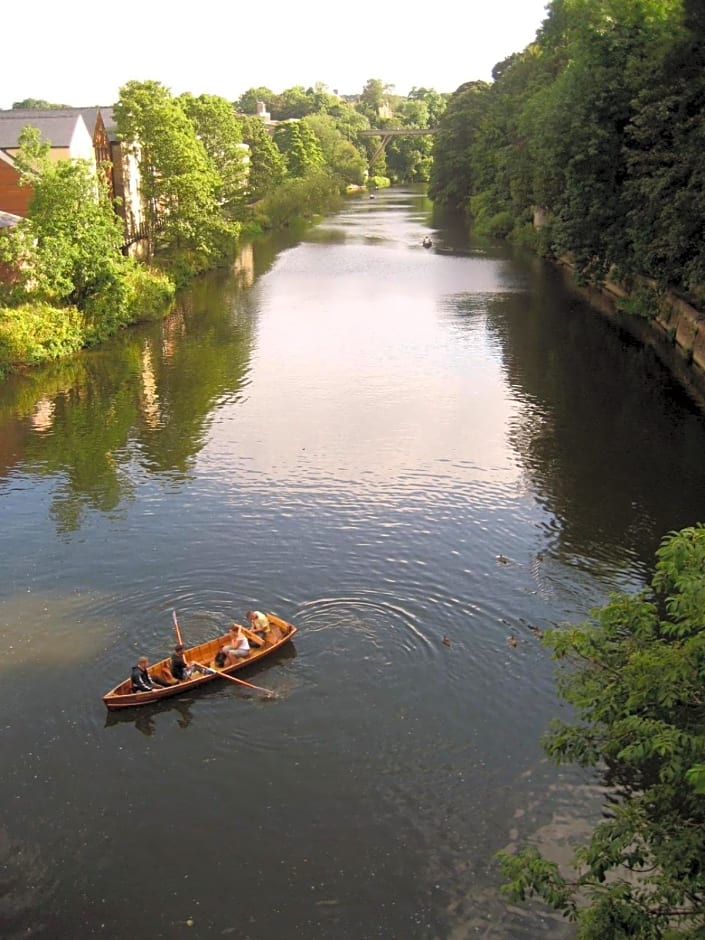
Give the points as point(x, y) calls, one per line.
point(122, 696)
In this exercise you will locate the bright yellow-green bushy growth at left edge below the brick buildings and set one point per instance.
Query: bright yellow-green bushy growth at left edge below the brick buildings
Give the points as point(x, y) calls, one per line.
point(71, 285)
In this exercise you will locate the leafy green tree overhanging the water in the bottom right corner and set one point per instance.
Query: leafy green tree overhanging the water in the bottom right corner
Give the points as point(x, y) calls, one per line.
point(634, 678)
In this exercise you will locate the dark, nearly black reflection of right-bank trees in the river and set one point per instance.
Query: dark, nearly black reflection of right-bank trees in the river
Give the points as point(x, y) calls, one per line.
point(611, 445)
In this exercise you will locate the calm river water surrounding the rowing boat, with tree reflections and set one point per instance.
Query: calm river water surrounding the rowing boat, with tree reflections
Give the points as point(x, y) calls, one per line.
point(417, 456)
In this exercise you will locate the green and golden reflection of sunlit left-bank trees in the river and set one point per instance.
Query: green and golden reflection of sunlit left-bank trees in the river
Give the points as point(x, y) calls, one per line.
point(142, 401)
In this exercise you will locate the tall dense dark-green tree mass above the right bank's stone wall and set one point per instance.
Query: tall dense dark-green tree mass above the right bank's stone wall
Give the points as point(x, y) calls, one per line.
point(599, 123)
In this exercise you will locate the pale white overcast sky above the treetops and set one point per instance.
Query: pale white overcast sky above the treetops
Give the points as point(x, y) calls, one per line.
point(79, 53)
